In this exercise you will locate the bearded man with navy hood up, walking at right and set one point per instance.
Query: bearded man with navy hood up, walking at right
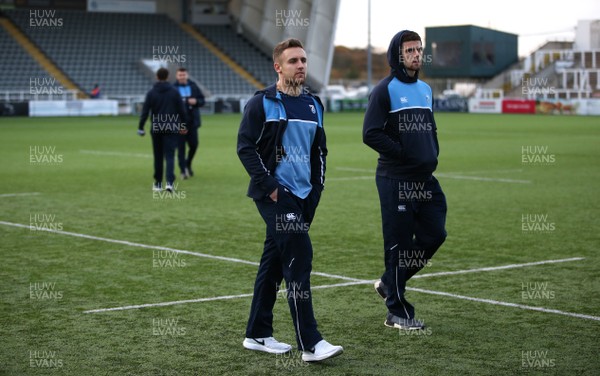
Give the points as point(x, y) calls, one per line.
point(400, 126)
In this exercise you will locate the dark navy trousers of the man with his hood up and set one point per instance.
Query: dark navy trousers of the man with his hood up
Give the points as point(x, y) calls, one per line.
point(413, 221)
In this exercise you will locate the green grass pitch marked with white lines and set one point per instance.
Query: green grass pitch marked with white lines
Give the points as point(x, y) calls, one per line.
point(520, 189)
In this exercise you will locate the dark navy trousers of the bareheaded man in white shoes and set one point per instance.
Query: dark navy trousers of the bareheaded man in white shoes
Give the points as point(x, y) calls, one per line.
point(287, 255)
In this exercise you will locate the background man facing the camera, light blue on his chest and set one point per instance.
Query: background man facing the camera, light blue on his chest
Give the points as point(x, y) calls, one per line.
point(193, 99)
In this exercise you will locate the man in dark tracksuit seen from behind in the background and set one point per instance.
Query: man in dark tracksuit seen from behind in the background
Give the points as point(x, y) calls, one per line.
point(168, 116)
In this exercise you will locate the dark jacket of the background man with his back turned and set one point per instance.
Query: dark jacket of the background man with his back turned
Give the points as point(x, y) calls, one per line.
point(165, 105)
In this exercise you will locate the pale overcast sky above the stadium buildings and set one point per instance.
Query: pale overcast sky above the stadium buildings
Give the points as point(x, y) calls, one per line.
point(534, 21)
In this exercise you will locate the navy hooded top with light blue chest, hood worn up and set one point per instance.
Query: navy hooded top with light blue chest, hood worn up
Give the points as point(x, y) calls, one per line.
point(399, 123)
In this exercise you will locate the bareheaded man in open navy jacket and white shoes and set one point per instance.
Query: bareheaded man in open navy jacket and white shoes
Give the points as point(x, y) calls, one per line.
point(281, 143)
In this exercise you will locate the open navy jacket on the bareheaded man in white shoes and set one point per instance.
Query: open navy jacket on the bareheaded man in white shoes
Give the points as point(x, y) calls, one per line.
point(259, 145)
